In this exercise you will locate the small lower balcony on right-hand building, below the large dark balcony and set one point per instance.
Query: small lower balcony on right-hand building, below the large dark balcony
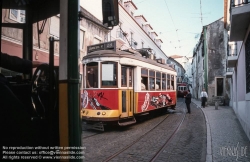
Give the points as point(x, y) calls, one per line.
point(232, 57)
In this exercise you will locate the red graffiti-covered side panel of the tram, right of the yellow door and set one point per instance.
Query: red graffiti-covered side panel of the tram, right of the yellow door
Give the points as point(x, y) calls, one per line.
point(153, 100)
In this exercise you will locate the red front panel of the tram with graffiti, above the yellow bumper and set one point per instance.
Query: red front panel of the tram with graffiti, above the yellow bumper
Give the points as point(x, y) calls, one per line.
point(100, 99)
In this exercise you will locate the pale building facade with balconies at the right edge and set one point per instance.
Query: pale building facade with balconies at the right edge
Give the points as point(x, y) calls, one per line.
point(236, 18)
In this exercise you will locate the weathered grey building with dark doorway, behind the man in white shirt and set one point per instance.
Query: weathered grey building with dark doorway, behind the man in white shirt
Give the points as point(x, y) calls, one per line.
point(209, 63)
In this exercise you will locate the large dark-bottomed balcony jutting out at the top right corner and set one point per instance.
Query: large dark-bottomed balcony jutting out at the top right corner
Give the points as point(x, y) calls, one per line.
point(240, 18)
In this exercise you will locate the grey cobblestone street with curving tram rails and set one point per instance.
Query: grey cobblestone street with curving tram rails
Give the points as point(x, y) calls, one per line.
point(187, 144)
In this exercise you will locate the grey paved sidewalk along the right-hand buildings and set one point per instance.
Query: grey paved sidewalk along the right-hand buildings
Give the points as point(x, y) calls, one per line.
point(226, 140)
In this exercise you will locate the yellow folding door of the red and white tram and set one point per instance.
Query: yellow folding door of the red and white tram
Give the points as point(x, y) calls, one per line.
point(127, 92)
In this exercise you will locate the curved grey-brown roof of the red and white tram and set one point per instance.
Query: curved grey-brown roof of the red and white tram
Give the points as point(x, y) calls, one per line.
point(132, 55)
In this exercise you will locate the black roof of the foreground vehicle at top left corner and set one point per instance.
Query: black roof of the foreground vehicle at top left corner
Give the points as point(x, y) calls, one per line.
point(41, 9)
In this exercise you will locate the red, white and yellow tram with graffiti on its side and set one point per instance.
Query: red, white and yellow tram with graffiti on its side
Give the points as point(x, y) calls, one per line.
point(125, 85)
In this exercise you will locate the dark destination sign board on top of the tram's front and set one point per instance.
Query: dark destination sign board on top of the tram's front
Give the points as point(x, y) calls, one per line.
point(102, 46)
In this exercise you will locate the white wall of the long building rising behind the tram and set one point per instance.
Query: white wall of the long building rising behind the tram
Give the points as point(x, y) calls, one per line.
point(129, 25)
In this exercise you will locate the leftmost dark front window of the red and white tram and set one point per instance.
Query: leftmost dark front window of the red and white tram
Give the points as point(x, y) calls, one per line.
point(92, 75)
